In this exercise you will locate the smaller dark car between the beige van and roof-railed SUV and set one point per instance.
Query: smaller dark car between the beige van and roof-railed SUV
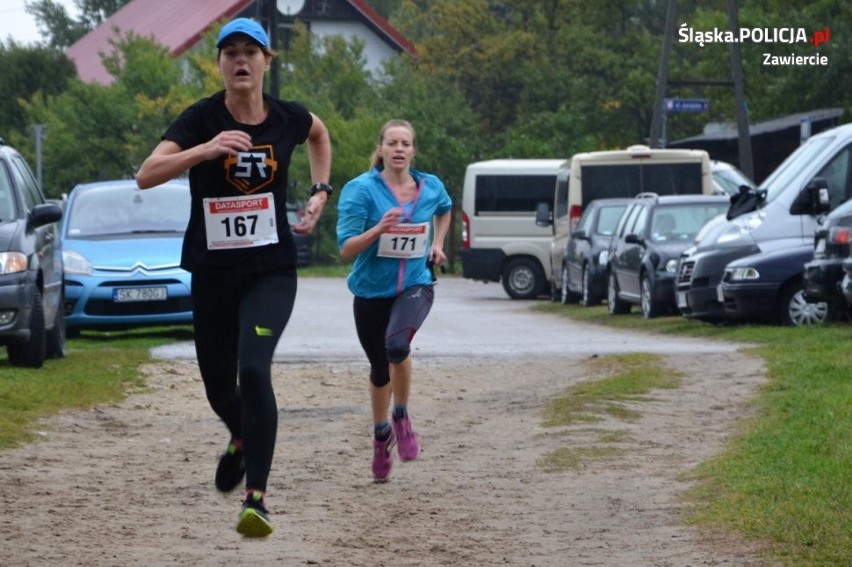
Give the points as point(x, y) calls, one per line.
point(584, 261)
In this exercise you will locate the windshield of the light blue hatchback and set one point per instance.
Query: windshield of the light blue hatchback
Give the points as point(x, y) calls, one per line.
point(118, 209)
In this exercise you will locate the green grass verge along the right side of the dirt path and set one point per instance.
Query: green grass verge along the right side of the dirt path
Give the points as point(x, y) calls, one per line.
point(785, 479)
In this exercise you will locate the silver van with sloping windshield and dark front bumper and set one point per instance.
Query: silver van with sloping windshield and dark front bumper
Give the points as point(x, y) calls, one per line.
point(781, 212)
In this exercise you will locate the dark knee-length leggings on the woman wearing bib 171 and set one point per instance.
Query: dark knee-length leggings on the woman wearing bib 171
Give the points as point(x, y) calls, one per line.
point(386, 327)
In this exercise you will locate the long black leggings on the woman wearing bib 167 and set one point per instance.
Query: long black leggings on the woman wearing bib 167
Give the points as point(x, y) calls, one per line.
point(238, 320)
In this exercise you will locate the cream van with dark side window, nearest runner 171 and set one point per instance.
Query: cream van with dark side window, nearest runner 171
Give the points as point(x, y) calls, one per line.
point(500, 239)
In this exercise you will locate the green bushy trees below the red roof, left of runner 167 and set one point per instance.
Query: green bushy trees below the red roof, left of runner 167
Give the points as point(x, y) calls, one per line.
point(96, 132)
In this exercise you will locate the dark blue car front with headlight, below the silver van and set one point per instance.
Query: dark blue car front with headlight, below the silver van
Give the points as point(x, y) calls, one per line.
point(768, 287)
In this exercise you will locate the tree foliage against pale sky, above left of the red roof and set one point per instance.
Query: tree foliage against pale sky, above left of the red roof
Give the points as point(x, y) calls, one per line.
point(60, 28)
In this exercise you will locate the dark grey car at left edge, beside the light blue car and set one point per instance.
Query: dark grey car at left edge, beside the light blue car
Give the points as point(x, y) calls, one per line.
point(31, 319)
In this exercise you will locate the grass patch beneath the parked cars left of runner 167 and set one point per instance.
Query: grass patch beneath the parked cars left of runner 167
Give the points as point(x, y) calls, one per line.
point(99, 368)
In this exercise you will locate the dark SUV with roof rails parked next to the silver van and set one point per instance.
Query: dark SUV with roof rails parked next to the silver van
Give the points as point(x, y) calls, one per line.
point(643, 255)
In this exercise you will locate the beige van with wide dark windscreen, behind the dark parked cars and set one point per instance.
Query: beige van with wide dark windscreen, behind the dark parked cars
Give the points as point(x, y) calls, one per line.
point(616, 174)
